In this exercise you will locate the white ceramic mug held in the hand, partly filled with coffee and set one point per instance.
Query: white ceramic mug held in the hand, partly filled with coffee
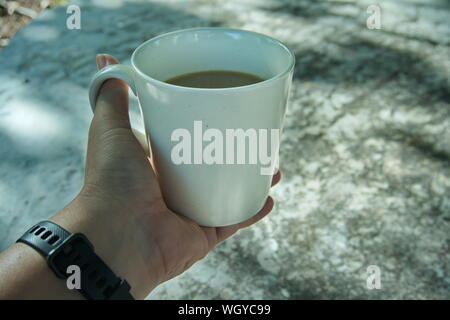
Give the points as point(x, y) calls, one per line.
point(210, 194)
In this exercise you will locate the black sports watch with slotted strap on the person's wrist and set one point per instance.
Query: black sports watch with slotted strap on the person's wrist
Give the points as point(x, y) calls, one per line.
point(62, 249)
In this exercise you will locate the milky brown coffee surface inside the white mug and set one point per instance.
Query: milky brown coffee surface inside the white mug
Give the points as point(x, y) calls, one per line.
point(214, 79)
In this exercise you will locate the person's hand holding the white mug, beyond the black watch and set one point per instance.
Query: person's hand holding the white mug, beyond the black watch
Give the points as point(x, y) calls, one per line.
point(129, 223)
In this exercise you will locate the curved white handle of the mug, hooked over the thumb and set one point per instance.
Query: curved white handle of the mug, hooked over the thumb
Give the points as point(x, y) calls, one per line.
point(122, 72)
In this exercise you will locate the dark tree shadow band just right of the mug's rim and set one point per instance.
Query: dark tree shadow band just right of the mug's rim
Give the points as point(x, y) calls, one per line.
point(362, 61)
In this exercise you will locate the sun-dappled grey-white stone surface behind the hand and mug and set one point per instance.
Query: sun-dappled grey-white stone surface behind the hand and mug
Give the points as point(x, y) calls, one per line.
point(365, 150)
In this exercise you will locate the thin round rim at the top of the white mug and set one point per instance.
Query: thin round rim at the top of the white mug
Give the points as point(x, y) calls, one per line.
point(173, 86)
